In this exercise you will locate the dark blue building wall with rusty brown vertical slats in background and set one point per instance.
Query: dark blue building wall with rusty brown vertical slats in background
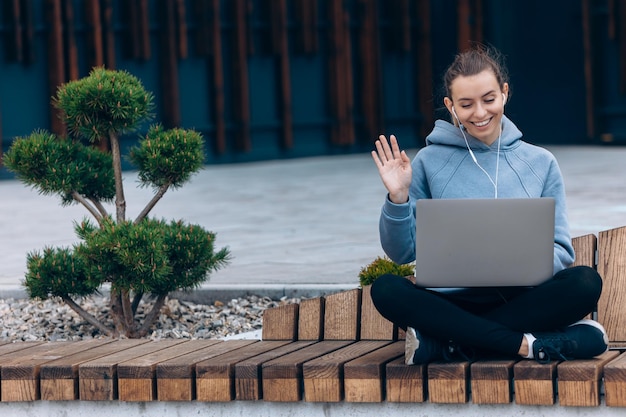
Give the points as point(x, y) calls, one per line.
point(315, 77)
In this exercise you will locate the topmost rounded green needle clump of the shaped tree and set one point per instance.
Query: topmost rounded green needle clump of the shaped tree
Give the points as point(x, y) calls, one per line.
point(105, 101)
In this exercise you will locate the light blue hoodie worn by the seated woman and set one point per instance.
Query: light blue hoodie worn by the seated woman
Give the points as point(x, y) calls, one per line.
point(445, 169)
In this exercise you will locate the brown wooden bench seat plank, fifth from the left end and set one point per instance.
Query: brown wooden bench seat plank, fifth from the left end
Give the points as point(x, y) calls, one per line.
point(176, 377)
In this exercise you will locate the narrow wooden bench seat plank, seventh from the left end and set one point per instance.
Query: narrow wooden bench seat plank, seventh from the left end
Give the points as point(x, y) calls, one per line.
point(248, 373)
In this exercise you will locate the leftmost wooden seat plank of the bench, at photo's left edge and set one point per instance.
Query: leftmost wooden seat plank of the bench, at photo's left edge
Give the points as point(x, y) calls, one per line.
point(20, 369)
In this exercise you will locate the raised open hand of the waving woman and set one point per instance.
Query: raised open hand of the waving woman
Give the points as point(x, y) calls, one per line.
point(394, 167)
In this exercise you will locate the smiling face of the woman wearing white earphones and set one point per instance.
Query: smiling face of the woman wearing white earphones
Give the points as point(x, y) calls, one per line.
point(478, 101)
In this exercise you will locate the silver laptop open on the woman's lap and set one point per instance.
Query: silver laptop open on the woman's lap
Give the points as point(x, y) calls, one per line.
point(484, 242)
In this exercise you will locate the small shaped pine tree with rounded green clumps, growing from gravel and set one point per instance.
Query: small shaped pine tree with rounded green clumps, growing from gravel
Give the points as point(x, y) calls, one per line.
point(135, 257)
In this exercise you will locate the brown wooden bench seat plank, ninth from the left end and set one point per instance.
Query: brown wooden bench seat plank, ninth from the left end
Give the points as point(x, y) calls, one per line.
point(323, 376)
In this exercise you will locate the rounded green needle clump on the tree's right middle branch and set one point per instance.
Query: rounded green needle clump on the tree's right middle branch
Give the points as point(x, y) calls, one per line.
point(168, 157)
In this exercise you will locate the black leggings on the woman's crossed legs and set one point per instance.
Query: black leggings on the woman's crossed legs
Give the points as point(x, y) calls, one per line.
point(495, 326)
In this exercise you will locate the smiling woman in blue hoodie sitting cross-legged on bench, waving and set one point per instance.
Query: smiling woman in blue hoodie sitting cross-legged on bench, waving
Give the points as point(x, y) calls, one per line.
point(481, 154)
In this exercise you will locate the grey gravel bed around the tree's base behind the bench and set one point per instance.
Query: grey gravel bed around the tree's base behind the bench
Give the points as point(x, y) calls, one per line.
point(52, 320)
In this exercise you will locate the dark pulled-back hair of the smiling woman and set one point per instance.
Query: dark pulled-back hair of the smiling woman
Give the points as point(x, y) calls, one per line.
point(474, 61)
